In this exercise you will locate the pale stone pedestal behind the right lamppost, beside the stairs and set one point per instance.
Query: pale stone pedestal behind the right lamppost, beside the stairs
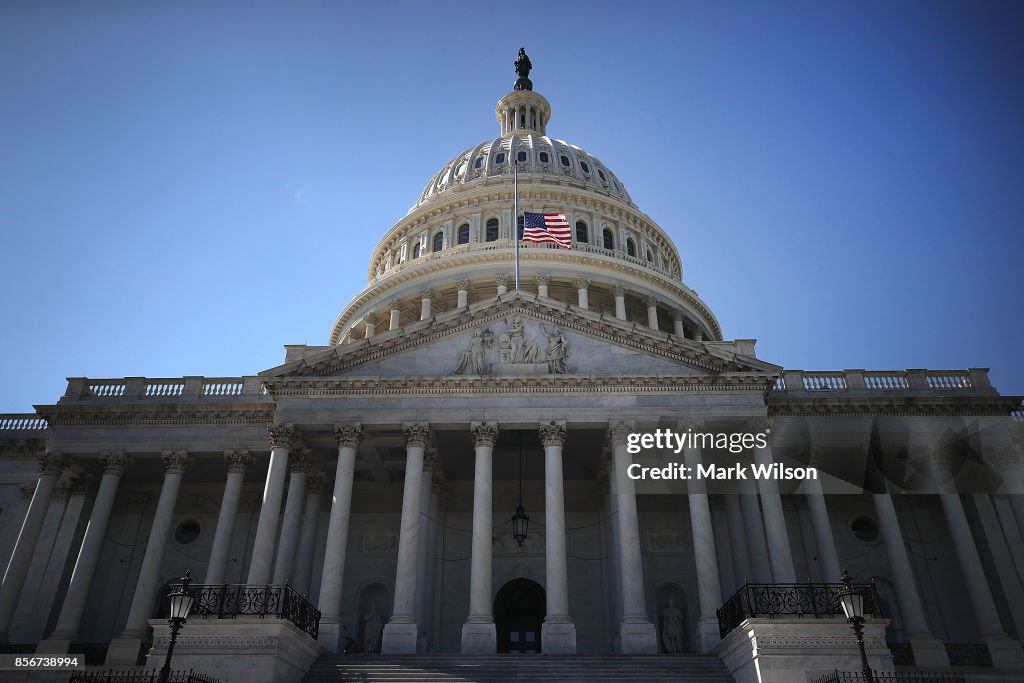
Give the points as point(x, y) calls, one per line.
point(785, 651)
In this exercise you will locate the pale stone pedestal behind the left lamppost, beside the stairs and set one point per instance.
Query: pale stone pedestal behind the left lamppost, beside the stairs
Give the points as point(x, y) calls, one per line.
point(238, 651)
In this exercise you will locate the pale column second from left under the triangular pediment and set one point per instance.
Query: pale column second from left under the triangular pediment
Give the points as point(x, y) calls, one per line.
point(349, 436)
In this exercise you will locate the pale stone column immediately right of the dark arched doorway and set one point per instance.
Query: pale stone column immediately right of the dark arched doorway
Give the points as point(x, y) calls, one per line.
point(559, 632)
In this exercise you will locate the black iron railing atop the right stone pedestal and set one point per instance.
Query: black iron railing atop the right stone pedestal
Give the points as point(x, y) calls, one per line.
point(788, 600)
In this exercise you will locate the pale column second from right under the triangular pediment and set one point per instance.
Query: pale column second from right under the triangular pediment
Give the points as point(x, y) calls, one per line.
point(703, 528)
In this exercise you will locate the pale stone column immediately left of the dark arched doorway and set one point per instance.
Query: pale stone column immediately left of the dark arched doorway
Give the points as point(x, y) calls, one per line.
point(479, 635)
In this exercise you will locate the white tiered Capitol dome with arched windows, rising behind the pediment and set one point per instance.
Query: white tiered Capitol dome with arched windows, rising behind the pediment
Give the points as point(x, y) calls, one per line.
point(455, 246)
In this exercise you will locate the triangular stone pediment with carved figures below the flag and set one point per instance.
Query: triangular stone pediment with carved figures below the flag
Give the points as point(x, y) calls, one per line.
point(519, 335)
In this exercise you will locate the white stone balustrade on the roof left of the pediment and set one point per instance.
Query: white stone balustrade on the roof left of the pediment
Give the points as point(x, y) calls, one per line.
point(180, 389)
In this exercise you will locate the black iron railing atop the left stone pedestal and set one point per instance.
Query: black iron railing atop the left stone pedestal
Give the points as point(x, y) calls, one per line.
point(231, 601)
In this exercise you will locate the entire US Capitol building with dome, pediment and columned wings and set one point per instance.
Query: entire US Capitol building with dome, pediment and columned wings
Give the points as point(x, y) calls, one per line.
point(448, 475)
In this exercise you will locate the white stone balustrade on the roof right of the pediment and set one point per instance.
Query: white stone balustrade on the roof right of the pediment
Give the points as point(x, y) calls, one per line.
point(974, 380)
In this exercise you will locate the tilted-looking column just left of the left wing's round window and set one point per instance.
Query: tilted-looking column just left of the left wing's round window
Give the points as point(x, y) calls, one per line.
point(176, 465)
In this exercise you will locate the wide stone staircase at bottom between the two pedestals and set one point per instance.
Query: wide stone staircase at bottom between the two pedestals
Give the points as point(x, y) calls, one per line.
point(410, 669)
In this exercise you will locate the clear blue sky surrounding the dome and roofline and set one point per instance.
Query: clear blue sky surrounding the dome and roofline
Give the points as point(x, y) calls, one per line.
point(186, 188)
